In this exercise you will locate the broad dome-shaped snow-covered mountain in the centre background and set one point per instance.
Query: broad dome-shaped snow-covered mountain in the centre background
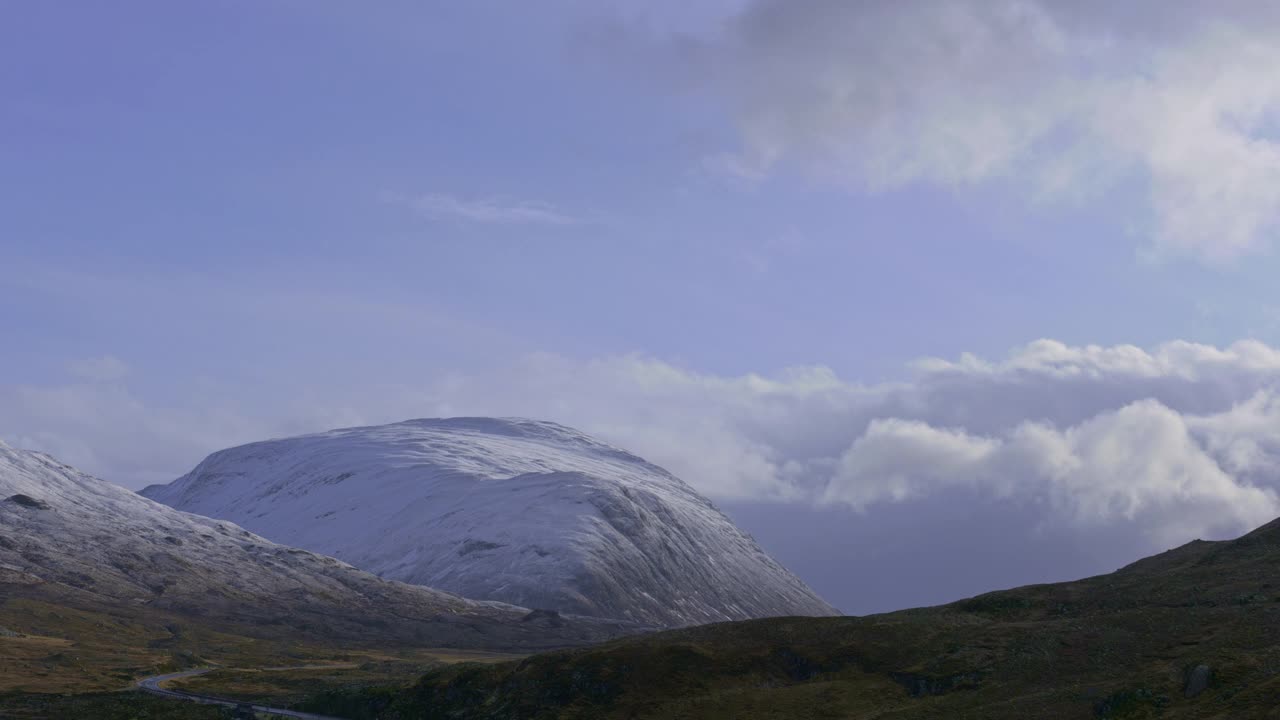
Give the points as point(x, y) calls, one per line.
point(522, 512)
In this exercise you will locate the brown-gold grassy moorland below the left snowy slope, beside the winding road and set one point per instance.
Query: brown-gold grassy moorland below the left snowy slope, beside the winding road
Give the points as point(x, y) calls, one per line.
point(53, 644)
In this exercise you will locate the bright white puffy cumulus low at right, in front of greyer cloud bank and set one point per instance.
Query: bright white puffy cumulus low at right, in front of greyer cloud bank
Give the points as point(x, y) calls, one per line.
point(1139, 466)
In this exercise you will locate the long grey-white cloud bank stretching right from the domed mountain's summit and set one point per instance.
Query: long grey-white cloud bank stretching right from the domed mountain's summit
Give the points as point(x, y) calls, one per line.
point(1159, 446)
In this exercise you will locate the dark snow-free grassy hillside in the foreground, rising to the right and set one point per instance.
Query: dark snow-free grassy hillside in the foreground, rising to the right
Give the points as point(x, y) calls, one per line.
point(1126, 645)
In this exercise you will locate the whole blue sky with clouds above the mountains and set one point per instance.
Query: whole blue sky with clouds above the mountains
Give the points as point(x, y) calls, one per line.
point(932, 298)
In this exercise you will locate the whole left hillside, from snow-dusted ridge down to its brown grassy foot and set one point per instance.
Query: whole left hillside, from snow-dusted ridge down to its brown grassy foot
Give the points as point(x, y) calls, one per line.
point(99, 585)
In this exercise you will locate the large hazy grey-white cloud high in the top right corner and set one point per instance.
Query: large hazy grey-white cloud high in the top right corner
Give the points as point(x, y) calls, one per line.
point(1071, 101)
